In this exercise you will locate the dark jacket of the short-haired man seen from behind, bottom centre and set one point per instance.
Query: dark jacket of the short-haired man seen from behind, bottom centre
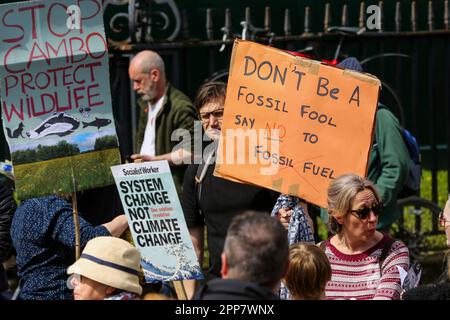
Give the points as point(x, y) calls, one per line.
point(227, 289)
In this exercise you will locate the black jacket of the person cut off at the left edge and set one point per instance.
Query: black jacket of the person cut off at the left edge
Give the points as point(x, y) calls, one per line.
point(7, 209)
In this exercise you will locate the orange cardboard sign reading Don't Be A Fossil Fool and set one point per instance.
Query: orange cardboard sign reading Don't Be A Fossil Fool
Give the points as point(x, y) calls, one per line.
point(292, 124)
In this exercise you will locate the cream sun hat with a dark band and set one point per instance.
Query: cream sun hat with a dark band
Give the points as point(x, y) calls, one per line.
point(111, 261)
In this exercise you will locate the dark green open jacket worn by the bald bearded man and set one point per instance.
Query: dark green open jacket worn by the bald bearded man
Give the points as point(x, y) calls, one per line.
point(177, 112)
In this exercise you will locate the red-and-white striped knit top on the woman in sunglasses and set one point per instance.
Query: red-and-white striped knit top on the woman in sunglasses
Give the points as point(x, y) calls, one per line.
point(358, 276)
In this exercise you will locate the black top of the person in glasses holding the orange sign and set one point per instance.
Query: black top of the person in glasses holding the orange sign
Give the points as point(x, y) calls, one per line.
point(220, 201)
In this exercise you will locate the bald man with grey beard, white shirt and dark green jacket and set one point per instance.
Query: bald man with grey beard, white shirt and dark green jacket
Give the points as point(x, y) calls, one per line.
point(162, 109)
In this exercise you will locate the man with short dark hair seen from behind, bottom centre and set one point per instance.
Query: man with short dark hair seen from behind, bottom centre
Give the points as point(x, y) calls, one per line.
point(254, 260)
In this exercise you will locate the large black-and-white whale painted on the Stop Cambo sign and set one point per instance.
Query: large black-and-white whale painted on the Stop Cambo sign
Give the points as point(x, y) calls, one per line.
point(58, 124)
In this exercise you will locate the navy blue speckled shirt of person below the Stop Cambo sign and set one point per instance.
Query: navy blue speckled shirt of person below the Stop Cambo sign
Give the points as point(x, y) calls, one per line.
point(43, 235)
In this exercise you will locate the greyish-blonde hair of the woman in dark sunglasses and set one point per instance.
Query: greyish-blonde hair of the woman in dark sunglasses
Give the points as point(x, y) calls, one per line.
point(341, 193)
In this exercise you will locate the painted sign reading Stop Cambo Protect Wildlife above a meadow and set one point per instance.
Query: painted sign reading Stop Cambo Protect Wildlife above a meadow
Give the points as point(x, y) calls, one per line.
point(55, 96)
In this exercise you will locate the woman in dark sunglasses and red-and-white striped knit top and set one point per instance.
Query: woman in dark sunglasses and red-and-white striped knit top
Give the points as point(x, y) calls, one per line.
point(359, 270)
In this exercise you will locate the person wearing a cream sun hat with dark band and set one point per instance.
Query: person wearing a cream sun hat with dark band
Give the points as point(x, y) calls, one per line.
point(108, 269)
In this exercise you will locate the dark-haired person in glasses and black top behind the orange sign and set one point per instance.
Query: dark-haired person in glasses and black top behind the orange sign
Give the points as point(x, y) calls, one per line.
point(209, 200)
